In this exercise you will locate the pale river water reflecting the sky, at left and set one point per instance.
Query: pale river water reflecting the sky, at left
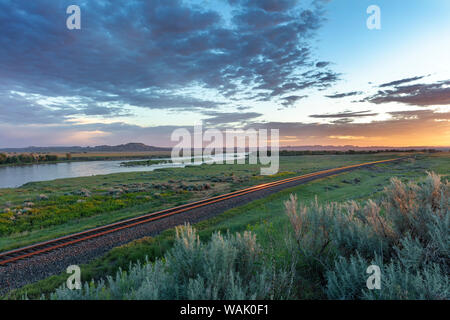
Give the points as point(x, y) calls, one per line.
point(11, 177)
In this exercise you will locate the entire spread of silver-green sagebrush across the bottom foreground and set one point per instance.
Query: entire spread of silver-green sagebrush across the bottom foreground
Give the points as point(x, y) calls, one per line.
point(405, 233)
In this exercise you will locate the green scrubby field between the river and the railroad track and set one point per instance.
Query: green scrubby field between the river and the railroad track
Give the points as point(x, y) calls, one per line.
point(39, 211)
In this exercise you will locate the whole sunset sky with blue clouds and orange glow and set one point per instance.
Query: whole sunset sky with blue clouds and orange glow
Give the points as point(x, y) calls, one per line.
point(137, 70)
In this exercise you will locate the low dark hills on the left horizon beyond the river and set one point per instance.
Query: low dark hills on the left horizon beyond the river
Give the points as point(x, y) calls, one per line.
point(129, 147)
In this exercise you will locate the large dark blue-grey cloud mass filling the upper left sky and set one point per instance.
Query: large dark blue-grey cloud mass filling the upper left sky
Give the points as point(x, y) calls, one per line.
point(143, 53)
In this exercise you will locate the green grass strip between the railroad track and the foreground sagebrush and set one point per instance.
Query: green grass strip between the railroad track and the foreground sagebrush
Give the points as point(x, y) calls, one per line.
point(265, 217)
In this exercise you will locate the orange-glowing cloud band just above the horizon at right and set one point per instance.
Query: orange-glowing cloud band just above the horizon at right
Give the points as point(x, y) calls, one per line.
point(407, 128)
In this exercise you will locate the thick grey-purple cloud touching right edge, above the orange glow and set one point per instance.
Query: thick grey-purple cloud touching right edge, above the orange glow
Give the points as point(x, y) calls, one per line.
point(416, 94)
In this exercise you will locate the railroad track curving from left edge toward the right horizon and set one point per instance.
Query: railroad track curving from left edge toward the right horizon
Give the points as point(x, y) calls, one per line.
point(43, 247)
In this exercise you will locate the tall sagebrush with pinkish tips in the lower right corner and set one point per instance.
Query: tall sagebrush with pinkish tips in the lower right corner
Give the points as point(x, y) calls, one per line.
point(406, 235)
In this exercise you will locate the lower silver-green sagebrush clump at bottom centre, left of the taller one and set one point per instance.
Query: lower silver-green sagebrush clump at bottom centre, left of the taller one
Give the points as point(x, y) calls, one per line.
point(226, 267)
